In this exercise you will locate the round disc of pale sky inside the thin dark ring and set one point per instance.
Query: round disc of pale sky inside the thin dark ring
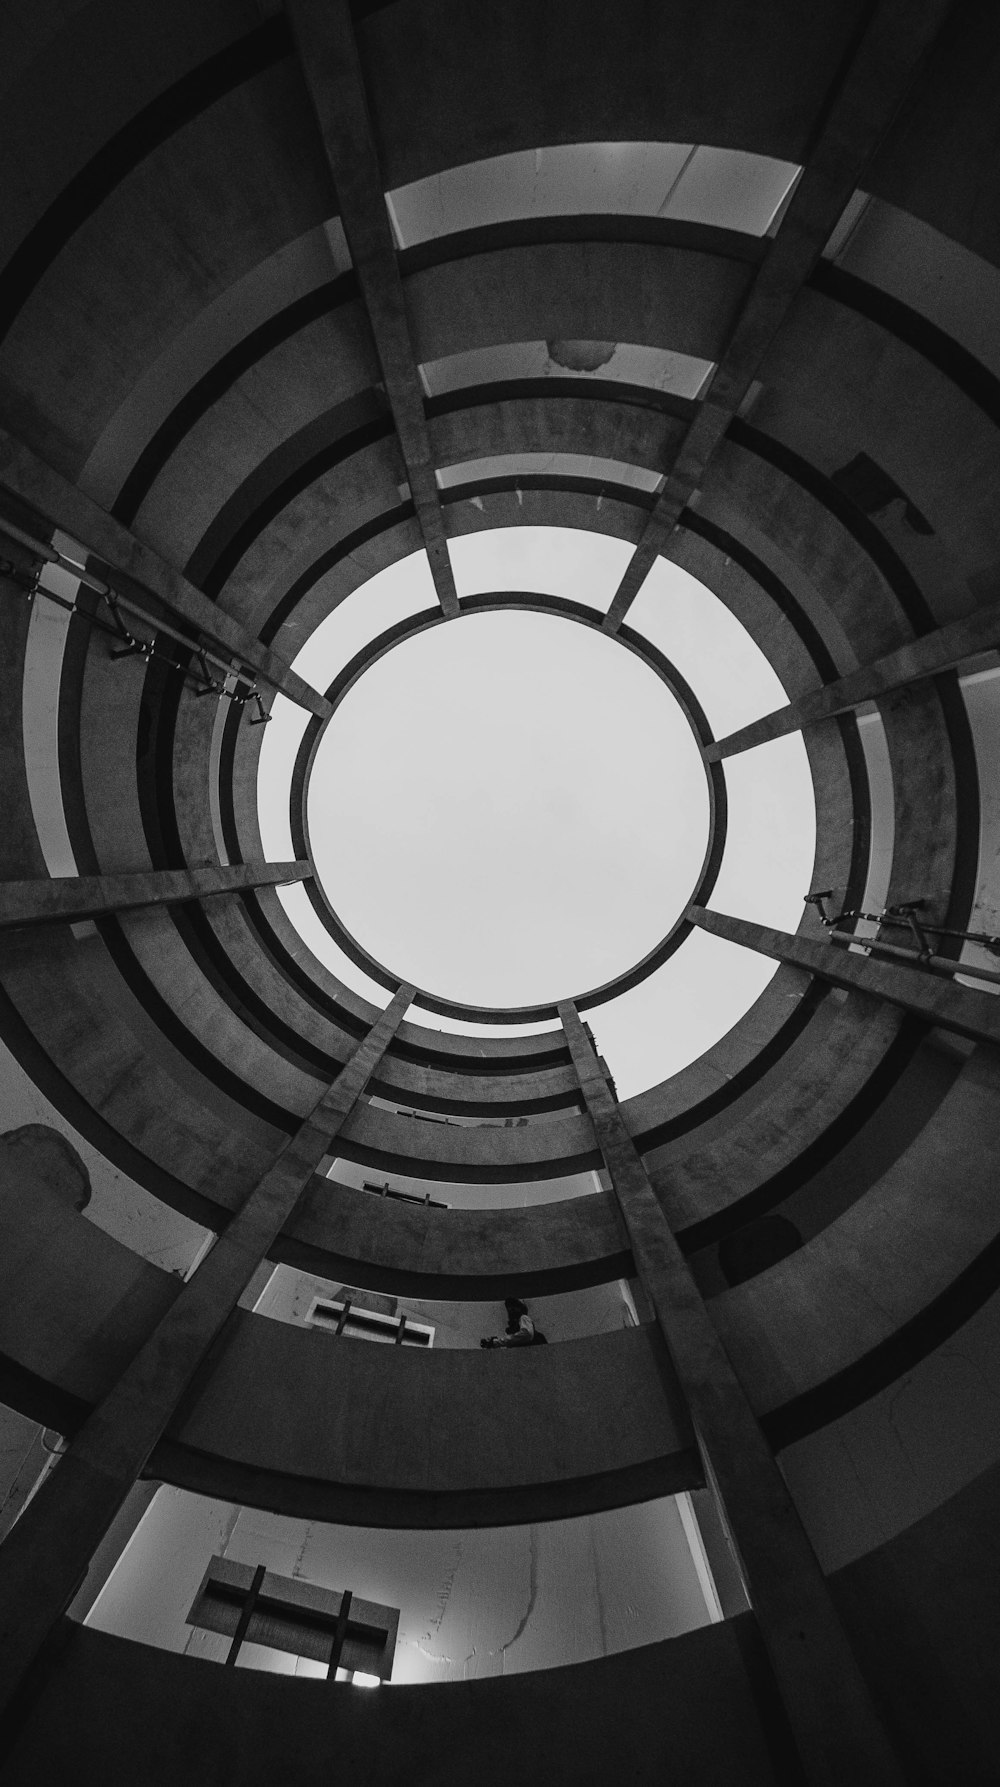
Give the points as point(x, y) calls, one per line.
point(508, 810)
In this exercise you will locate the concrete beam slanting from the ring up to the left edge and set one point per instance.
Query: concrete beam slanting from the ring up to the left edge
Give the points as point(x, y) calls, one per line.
point(31, 489)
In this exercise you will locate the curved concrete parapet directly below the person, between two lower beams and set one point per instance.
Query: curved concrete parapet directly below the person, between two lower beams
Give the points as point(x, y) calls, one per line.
point(303, 1422)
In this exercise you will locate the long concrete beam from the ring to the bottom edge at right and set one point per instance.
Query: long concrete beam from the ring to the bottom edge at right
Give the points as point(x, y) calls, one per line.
point(829, 1709)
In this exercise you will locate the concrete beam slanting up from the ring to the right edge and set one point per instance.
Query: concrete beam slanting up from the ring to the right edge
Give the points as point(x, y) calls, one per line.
point(912, 664)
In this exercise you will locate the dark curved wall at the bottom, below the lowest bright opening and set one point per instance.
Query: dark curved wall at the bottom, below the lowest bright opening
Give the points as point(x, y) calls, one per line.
point(683, 1706)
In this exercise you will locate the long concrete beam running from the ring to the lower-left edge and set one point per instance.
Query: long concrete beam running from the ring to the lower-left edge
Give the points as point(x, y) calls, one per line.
point(46, 1557)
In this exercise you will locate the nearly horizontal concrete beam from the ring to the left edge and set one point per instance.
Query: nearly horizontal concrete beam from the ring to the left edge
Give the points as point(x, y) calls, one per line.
point(69, 898)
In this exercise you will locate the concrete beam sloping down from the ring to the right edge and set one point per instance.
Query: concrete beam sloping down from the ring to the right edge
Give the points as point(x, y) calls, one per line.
point(929, 996)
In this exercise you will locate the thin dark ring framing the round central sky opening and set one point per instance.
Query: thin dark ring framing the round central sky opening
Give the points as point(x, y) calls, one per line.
point(558, 608)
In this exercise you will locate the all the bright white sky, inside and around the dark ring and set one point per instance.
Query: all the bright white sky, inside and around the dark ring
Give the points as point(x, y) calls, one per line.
point(510, 809)
